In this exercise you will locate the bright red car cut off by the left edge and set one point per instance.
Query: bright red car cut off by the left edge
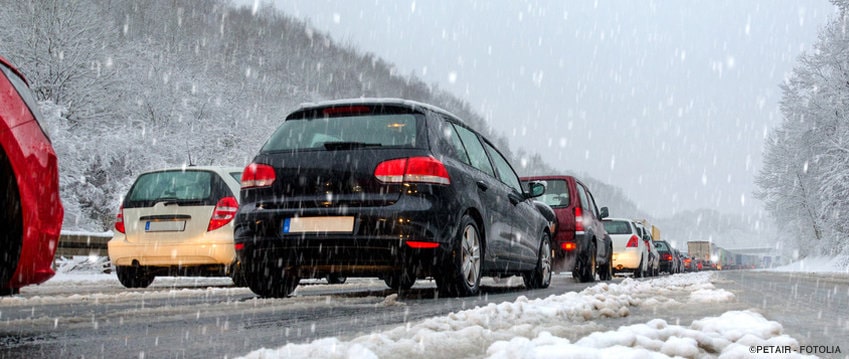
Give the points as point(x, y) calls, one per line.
point(31, 210)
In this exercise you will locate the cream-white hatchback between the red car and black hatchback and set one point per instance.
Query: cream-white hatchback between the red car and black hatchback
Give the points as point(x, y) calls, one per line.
point(177, 221)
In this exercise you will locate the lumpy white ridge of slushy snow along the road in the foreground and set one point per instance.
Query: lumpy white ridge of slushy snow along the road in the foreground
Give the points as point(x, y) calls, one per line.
point(537, 328)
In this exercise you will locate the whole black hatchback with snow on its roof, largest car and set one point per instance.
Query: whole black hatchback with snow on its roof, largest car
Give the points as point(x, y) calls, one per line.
point(386, 188)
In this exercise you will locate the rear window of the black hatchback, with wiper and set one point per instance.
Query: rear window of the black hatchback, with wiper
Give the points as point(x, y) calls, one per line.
point(345, 132)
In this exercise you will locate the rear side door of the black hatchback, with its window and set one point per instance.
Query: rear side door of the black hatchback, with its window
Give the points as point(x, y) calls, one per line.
point(493, 197)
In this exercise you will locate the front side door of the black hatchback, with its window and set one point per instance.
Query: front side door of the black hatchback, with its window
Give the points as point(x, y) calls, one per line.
point(521, 211)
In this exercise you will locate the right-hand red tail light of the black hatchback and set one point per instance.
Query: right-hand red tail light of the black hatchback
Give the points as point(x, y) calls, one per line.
point(412, 170)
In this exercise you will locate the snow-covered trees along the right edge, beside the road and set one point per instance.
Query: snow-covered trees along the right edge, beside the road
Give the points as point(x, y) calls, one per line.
point(803, 181)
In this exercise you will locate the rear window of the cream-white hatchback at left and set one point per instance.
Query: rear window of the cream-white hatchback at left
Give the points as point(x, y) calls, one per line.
point(171, 186)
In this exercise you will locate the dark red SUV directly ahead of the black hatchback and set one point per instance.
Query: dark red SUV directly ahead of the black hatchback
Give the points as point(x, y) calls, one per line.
point(581, 244)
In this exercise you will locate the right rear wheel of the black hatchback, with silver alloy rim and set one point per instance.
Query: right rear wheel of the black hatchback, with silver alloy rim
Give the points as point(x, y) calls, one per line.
point(462, 273)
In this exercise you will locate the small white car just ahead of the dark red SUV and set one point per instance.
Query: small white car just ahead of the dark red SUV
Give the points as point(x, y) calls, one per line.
point(630, 253)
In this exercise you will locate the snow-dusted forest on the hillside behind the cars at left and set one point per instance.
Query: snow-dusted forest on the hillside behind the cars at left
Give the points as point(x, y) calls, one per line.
point(127, 87)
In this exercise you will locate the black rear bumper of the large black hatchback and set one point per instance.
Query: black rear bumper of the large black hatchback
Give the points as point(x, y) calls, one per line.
point(378, 243)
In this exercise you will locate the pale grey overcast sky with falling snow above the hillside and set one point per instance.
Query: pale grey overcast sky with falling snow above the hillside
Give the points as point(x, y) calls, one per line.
point(668, 100)
